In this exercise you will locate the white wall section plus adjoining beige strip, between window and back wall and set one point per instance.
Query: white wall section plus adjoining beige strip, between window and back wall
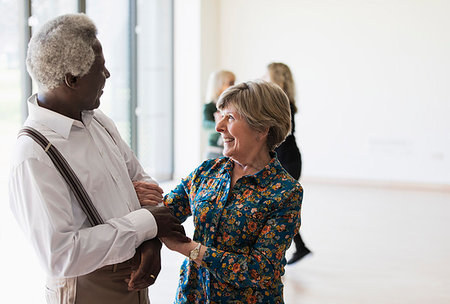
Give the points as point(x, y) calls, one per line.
point(196, 52)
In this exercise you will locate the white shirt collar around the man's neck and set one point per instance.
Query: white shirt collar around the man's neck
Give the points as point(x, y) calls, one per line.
point(57, 122)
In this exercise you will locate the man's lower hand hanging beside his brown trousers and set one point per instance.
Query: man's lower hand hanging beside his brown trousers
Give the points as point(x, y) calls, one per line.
point(146, 265)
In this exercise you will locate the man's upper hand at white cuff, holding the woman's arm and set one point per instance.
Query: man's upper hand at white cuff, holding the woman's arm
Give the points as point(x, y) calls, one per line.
point(168, 225)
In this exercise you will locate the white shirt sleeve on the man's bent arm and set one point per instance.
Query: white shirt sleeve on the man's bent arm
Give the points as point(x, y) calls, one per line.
point(65, 243)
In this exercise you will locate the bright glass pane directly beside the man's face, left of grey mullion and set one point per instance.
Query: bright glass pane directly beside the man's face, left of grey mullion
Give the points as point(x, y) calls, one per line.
point(112, 20)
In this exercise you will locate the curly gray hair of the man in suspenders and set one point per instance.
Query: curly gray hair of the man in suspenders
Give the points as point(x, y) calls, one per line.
point(62, 45)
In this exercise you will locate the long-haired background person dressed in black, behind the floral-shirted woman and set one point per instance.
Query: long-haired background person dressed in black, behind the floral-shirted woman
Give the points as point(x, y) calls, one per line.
point(288, 152)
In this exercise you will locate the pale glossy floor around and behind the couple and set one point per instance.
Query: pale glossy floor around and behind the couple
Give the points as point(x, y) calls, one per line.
point(370, 245)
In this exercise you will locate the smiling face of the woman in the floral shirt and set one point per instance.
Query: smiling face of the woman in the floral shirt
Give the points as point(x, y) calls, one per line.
point(240, 140)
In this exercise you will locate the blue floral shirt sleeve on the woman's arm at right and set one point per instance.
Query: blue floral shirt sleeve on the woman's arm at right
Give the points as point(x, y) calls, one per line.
point(265, 261)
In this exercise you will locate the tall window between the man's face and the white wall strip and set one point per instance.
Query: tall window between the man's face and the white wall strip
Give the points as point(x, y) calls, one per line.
point(138, 96)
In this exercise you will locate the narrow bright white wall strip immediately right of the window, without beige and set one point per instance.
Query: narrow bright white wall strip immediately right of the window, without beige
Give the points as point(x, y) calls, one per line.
point(187, 119)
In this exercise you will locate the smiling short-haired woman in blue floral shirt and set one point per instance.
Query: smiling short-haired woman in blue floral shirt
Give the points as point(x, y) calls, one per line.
point(245, 206)
